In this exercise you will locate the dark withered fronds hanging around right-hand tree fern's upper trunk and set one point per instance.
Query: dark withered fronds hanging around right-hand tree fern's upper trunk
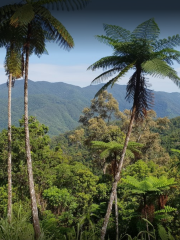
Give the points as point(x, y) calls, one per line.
point(138, 92)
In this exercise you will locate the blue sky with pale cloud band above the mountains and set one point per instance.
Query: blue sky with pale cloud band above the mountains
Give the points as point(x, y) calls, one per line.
point(71, 67)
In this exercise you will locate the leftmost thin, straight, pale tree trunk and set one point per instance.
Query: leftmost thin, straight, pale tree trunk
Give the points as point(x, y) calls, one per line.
point(9, 210)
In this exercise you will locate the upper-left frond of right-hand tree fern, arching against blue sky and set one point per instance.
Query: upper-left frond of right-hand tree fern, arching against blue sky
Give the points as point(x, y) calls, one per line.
point(117, 33)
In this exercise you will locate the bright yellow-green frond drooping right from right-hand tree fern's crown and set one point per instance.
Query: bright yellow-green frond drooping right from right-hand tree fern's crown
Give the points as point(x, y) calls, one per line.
point(159, 68)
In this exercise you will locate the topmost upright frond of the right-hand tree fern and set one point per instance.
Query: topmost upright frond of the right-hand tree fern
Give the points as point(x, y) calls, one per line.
point(148, 30)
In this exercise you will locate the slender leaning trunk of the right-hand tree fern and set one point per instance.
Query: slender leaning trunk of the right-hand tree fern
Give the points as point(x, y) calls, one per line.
point(117, 177)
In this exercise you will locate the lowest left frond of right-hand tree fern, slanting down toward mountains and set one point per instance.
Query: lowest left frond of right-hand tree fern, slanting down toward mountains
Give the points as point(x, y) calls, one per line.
point(113, 80)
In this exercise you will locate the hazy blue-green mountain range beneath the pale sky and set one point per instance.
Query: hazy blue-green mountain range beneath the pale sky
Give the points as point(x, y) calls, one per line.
point(59, 105)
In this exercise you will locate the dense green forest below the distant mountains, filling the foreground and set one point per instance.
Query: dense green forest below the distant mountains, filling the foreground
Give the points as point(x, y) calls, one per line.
point(73, 173)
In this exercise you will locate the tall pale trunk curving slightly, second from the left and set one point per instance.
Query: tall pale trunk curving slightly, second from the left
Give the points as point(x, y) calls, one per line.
point(35, 217)
